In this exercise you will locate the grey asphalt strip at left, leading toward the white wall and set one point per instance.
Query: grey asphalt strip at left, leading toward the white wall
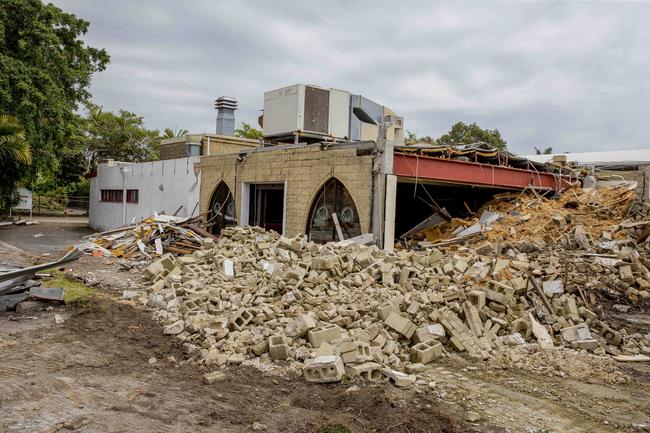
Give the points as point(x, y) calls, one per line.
point(49, 236)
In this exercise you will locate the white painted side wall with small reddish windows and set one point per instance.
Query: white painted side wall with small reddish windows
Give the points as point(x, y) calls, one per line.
point(162, 186)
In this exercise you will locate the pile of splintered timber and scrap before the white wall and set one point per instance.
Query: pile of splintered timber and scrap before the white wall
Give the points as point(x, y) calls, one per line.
point(149, 238)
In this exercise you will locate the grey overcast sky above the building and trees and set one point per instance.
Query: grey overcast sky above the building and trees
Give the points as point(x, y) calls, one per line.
point(571, 75)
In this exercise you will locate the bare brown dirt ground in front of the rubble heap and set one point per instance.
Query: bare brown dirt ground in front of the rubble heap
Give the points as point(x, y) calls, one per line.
point(94, 373)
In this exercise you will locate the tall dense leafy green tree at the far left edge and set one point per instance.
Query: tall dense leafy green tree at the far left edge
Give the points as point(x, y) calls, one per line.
point(46, 70)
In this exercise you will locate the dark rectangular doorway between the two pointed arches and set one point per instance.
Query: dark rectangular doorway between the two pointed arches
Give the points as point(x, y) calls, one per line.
point(266, 206)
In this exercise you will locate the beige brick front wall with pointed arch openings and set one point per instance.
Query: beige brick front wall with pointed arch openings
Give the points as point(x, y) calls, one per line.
point(305, 170)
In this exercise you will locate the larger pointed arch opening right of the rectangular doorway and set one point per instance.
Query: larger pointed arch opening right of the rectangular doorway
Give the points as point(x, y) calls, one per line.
point(333, 197)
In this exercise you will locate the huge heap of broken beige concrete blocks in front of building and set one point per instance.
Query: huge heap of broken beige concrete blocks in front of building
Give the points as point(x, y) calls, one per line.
point(345, 309)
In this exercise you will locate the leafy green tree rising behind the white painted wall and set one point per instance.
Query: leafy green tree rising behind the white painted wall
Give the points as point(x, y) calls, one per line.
point(120, 136)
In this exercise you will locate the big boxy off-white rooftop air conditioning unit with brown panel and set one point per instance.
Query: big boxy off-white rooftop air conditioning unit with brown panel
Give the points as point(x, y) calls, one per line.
point(306, 109)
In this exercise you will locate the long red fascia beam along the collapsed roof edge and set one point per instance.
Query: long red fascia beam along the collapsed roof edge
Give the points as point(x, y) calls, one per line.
point(472, 173)
